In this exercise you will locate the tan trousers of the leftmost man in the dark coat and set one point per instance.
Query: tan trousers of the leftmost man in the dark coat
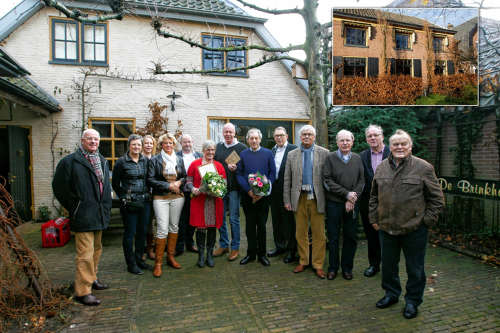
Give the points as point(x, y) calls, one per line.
point(88, 252)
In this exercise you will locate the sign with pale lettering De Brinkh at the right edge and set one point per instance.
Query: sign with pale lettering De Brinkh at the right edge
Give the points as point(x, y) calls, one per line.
point(487, 189)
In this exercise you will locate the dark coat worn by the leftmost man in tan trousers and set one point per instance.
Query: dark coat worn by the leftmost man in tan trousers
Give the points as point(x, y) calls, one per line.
point(76, 187)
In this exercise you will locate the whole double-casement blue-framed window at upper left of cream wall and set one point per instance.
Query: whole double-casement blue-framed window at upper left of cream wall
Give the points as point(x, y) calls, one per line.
point(79, 44)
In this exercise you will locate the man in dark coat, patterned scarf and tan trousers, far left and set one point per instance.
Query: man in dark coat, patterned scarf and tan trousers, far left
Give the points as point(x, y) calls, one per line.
point(81, 184)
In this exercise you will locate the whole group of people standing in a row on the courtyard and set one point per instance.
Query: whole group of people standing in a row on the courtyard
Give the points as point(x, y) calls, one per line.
point(396, 194)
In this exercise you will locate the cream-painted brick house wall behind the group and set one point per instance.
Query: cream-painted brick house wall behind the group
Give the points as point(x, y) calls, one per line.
point(268, 92)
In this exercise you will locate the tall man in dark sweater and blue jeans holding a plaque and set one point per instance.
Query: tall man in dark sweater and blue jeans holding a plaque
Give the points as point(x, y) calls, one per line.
point(224, 153)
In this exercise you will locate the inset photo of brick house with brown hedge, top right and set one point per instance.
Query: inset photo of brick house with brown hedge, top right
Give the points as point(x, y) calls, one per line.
point(405, 56)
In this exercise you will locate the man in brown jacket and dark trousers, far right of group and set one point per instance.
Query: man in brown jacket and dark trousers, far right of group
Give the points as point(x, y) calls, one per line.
point(405, 200)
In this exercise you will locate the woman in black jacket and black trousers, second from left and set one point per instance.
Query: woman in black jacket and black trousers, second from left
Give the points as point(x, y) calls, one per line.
point(129, 183)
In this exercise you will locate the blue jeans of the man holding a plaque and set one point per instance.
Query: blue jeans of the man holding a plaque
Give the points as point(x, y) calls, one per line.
point(231, 206)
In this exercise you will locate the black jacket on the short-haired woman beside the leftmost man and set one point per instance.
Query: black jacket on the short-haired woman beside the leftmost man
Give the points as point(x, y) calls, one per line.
point(130, 176)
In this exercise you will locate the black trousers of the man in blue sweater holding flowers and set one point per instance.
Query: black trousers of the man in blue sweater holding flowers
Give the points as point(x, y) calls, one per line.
point(256, 218)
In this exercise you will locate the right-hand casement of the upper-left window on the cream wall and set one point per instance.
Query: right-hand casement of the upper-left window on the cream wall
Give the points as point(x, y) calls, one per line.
point(94, 43)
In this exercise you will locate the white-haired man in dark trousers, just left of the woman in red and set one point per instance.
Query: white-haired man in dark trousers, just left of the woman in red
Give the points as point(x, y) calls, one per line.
point(186, 231)
